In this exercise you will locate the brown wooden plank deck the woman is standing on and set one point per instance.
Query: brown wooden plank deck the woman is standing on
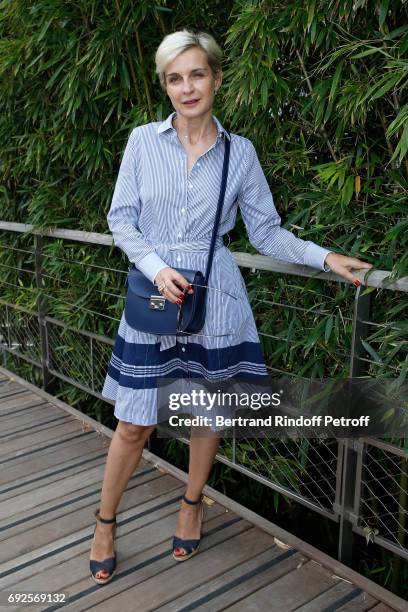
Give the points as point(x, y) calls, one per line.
point(52, 461)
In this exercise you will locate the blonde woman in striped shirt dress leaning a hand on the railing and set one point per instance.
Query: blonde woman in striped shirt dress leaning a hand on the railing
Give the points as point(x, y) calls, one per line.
point(162, 216)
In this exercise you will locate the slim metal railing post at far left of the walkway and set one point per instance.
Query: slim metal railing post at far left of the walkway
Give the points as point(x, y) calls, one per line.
point(49, 381)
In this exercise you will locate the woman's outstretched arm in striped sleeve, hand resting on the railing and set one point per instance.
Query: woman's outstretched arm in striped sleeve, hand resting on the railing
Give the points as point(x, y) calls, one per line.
point(265, 233)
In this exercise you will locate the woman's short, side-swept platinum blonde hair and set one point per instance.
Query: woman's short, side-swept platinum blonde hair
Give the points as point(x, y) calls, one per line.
point(180, 41)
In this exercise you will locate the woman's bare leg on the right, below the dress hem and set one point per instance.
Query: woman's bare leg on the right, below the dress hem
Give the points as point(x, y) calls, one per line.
point(202, 452)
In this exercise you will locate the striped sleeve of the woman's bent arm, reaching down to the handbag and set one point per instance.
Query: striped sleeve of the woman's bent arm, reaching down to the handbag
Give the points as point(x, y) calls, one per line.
point(124, 214)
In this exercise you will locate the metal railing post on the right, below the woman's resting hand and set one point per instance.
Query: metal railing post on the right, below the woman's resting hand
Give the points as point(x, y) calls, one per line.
point(353, 450)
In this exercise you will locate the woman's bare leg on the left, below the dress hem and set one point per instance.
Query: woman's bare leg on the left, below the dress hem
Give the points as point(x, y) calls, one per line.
point(123, 457)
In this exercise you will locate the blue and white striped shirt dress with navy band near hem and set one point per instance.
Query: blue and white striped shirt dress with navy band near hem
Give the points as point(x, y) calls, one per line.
point(160, 216)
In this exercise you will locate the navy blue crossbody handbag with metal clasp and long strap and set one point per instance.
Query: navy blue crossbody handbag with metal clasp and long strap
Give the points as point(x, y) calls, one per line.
point(148, 311)
